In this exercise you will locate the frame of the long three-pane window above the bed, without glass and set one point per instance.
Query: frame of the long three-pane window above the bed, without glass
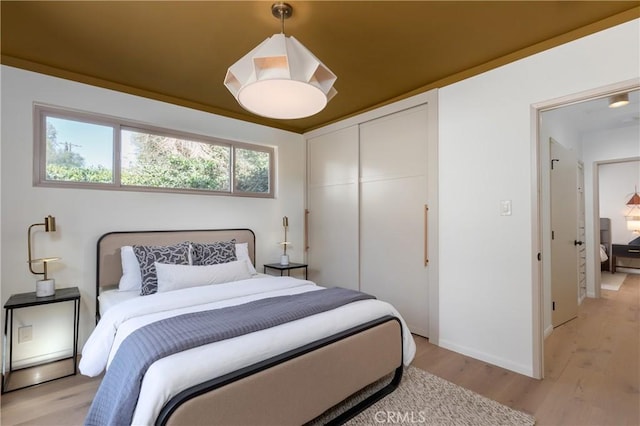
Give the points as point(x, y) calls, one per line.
point(41, 112)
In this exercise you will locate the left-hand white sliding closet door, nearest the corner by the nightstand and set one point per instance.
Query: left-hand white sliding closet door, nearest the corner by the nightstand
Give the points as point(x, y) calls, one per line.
point(332, 203)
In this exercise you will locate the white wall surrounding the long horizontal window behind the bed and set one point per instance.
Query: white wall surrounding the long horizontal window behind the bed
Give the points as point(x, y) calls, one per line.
point(83, 215)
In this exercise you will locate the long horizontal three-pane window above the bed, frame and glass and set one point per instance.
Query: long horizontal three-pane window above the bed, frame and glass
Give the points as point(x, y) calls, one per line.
point(82, 150)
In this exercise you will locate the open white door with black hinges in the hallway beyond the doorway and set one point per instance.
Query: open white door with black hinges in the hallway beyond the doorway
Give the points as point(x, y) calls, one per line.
point(564, 237)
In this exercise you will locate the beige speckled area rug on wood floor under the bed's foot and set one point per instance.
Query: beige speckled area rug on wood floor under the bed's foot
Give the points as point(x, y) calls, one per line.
point(425, 399)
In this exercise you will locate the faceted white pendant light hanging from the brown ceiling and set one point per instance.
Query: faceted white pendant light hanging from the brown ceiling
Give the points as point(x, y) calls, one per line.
point(280, 78)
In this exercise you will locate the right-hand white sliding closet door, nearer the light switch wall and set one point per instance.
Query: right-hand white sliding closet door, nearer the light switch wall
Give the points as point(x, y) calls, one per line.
point(393, 195)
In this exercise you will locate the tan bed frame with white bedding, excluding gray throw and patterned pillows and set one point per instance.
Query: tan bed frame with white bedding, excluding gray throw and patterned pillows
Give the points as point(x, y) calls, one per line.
point(287, 374)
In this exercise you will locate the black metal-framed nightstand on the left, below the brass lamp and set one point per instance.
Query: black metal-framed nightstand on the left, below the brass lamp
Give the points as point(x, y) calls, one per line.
point(25, 300)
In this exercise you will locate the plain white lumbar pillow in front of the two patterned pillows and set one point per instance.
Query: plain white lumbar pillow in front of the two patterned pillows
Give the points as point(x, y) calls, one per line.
point(175, 277)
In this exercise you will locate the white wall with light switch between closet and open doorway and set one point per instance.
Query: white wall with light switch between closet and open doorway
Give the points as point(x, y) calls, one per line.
point(487, 154)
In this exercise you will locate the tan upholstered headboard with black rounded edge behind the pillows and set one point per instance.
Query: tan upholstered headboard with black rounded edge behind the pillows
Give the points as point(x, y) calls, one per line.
point(109, 267)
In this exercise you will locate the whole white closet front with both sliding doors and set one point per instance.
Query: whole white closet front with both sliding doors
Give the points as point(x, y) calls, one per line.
point(367, 198)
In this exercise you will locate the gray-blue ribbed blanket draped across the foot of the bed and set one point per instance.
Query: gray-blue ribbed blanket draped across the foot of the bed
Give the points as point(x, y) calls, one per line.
point(117, 395)
